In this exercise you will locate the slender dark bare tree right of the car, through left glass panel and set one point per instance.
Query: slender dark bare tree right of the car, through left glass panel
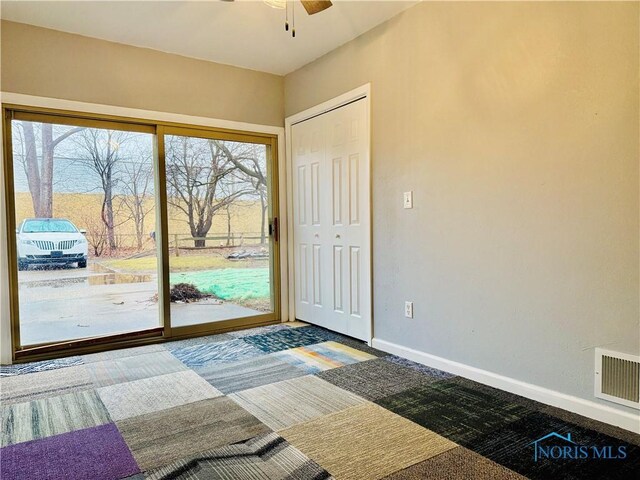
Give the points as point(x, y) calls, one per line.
point(100, 149)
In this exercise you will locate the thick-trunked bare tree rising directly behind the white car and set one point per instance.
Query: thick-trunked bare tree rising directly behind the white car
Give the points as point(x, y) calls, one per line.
point(38, 162)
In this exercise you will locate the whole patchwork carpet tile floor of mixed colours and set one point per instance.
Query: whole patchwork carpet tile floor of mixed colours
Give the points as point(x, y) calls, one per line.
point(284, 402)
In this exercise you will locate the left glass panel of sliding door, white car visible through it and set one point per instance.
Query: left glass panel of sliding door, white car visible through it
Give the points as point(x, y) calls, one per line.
point(85, 215)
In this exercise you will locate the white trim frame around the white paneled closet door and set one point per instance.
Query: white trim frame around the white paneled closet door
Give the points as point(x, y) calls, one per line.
point(360, 93)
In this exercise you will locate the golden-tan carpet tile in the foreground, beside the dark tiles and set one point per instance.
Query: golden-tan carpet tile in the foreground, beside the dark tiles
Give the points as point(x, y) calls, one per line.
point(365, 442)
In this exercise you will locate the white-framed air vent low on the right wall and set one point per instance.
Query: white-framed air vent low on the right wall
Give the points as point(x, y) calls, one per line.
point(618, 377)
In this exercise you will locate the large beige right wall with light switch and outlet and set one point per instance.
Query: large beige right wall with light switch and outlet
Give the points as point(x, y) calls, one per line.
point(516, 126)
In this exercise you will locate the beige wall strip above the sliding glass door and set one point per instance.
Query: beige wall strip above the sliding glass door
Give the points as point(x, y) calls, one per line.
point(48, 63)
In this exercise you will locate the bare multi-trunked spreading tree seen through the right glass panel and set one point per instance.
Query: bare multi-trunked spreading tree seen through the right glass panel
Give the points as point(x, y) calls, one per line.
point(200, 181)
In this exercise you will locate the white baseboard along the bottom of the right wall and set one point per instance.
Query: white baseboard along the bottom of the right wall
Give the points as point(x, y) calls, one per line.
point(587, 408)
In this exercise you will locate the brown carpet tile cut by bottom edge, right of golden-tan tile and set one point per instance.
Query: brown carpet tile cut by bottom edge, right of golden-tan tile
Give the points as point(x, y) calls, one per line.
point(456, 464)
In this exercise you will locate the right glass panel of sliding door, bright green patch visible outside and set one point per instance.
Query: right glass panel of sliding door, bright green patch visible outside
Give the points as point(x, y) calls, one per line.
point(219, 201)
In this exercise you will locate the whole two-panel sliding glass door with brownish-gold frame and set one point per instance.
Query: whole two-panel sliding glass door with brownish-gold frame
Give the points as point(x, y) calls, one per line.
point(123, 231)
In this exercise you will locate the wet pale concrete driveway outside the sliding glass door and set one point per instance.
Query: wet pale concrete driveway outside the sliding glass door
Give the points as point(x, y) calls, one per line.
point(58, 304)
